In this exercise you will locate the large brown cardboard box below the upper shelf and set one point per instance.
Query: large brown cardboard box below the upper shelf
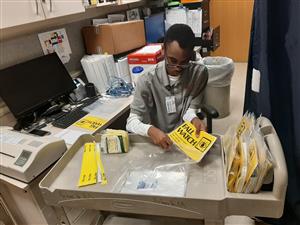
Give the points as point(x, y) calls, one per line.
point(114, 38)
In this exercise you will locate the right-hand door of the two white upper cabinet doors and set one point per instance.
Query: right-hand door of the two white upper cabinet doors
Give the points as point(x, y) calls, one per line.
point(56, 8)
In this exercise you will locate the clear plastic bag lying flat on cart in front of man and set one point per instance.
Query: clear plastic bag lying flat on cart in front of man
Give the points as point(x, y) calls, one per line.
point(155, 173)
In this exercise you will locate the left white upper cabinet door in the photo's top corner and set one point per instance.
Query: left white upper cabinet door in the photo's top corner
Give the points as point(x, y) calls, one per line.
point(17, 12)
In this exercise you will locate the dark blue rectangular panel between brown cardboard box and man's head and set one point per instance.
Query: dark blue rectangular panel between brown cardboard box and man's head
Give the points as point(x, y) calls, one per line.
point(155, 27)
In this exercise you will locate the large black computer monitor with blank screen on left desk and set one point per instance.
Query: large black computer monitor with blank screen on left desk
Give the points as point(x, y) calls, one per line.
point(30, 85)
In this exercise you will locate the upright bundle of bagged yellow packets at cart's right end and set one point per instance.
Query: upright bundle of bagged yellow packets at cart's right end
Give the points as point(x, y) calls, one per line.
point(247, 157)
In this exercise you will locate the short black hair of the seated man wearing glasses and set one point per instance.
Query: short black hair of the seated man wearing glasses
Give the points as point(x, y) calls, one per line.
point(181, 33)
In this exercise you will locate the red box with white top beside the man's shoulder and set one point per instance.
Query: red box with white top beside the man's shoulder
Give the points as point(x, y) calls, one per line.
point(150, 54)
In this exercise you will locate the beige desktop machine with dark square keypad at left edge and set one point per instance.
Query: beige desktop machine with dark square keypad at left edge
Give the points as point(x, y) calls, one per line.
point(24, 156)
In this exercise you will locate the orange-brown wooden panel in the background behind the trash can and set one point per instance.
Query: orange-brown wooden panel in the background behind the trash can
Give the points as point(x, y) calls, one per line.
point(234, 18)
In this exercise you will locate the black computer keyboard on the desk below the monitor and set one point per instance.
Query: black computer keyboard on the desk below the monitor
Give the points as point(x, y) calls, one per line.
point(69, 118)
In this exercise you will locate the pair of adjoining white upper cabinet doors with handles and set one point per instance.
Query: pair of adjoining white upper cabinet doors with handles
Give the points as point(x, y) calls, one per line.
point(18, 12)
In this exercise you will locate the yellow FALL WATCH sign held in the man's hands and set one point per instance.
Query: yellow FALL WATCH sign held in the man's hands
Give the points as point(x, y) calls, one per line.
point(194, 147)
